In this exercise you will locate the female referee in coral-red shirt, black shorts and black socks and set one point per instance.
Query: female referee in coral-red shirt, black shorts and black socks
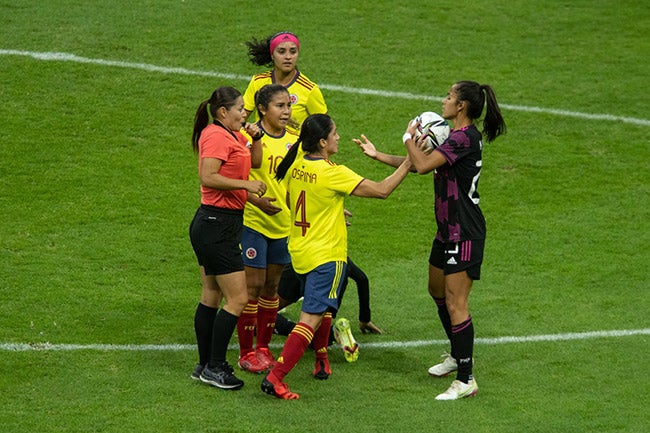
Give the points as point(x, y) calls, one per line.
point(225, 160)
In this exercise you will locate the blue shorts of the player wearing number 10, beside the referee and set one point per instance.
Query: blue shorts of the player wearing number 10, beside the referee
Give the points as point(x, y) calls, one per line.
point(261, 251)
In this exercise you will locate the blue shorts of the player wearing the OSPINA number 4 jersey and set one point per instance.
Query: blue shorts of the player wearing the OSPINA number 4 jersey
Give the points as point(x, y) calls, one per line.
point(322, 287)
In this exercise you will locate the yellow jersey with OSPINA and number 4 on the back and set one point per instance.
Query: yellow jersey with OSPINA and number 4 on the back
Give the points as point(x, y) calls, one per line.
point(317, 189)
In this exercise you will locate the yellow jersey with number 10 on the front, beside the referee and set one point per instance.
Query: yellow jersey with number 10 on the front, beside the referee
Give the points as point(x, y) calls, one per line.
point(273, 226)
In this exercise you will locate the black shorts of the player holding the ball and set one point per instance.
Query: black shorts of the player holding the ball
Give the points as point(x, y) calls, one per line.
point(456, 257)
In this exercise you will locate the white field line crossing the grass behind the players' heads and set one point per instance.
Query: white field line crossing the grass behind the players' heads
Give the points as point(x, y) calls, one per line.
point(66, 57)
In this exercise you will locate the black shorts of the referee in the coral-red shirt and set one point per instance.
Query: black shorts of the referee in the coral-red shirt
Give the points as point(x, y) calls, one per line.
point(216, 235)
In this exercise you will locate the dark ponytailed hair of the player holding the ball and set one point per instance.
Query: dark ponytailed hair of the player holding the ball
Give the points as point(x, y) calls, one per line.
point(476, 95)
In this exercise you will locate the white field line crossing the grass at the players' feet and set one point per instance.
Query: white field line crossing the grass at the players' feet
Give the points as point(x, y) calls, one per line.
point(36, 347)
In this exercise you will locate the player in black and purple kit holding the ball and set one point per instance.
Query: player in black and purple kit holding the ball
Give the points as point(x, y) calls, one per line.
point(457, 250)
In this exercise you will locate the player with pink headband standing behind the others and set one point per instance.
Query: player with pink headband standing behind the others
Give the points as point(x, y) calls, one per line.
point(281, 51)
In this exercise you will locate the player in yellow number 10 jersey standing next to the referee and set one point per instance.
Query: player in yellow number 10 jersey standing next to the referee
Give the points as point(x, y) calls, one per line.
point(266, 228)
